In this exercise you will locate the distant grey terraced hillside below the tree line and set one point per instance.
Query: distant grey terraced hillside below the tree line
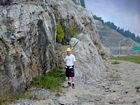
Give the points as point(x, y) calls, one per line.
point(117, 43)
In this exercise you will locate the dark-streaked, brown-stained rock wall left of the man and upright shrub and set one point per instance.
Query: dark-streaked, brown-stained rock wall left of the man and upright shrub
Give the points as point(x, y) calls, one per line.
point(27, 42)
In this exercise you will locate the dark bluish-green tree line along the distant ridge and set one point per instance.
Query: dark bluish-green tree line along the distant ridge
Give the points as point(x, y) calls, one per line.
point(125, 33)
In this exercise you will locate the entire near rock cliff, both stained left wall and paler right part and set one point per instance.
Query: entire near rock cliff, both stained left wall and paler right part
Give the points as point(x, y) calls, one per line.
point(27, 42)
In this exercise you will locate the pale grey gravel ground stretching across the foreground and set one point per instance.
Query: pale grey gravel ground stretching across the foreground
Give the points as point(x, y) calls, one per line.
point(120, 86)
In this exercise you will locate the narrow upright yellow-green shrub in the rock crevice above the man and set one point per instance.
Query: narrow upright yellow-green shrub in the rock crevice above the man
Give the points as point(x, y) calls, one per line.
point(60, 33)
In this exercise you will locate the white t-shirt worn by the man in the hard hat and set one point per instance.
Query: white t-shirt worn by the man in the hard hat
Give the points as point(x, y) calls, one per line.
point(70, 60)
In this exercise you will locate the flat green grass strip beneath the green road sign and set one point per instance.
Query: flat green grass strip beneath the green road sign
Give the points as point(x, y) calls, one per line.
point(135, 59)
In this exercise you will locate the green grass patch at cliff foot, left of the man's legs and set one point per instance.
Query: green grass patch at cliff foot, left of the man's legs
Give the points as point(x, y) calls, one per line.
point(52, 80)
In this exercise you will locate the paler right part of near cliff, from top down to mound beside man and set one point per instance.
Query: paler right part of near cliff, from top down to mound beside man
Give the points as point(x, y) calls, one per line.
point(88, 49)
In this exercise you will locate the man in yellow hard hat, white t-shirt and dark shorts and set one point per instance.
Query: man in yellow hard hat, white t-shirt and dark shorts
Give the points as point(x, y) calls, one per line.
point(70, 67)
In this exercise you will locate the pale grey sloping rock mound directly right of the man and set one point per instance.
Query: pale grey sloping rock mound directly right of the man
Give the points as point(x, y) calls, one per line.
point(89, 66)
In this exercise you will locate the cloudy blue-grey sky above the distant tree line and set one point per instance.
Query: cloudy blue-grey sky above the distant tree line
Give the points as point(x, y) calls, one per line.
point(123, 13)
